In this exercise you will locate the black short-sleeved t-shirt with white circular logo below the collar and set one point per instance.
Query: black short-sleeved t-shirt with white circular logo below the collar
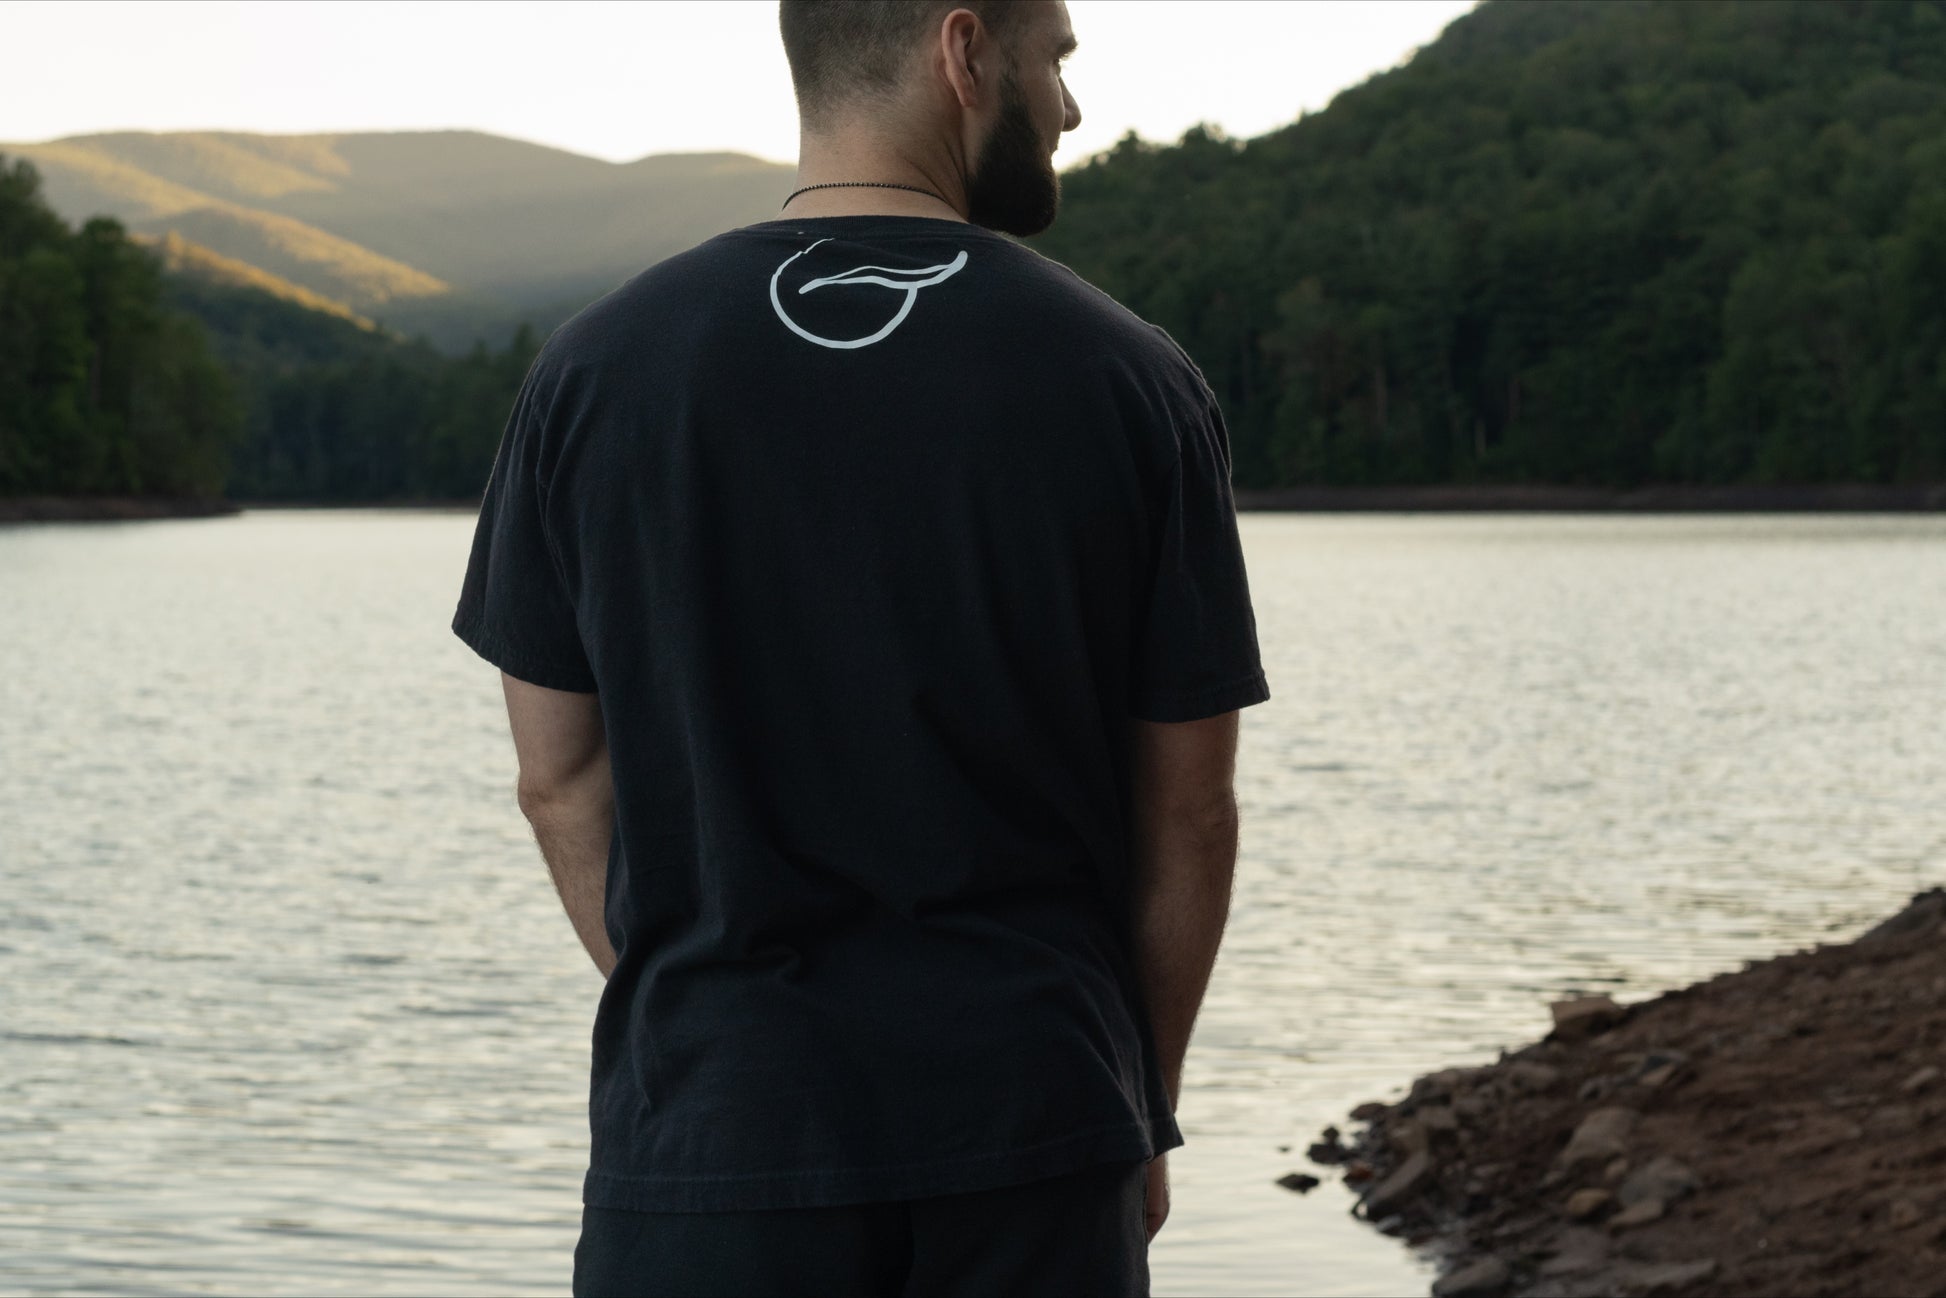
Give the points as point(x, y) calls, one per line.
point(871, 534)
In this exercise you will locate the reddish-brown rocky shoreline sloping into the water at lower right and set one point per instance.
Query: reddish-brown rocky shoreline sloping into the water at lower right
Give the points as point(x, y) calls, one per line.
point(1780, 1130)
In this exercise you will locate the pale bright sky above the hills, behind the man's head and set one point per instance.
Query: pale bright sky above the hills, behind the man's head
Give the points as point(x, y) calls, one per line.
point(622, 81)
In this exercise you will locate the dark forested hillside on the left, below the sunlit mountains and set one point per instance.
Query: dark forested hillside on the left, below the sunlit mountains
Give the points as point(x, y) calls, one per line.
point(124, 379)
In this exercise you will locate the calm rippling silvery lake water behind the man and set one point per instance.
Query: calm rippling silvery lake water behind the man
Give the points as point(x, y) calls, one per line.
point(289, 1007)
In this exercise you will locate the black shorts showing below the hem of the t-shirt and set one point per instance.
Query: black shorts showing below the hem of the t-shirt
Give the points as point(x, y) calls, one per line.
point(1067, 1237)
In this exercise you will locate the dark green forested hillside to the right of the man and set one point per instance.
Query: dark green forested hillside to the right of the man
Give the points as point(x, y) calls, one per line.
point(1603, 242)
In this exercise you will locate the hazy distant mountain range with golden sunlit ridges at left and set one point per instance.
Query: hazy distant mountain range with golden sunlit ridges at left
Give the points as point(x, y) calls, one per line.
point(456, 234)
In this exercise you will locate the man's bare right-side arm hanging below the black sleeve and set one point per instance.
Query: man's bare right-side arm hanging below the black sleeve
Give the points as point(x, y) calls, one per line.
point(1184, 846)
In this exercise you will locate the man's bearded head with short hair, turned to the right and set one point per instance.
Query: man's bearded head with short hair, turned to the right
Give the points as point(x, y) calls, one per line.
point(972, 87)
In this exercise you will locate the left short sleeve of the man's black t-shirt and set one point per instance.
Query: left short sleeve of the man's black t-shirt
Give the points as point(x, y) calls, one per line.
point(515, 604)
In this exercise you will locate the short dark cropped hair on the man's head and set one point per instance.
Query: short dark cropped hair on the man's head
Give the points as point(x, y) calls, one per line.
point(855, 50)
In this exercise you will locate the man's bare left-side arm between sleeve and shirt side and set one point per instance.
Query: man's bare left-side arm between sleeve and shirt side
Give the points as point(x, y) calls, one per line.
point(569, 799)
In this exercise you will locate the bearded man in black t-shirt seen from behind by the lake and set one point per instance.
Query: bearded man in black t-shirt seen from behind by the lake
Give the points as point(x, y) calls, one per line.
point(875, 628)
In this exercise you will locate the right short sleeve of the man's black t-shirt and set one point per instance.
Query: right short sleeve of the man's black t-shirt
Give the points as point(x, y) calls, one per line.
point(1198, 641)
